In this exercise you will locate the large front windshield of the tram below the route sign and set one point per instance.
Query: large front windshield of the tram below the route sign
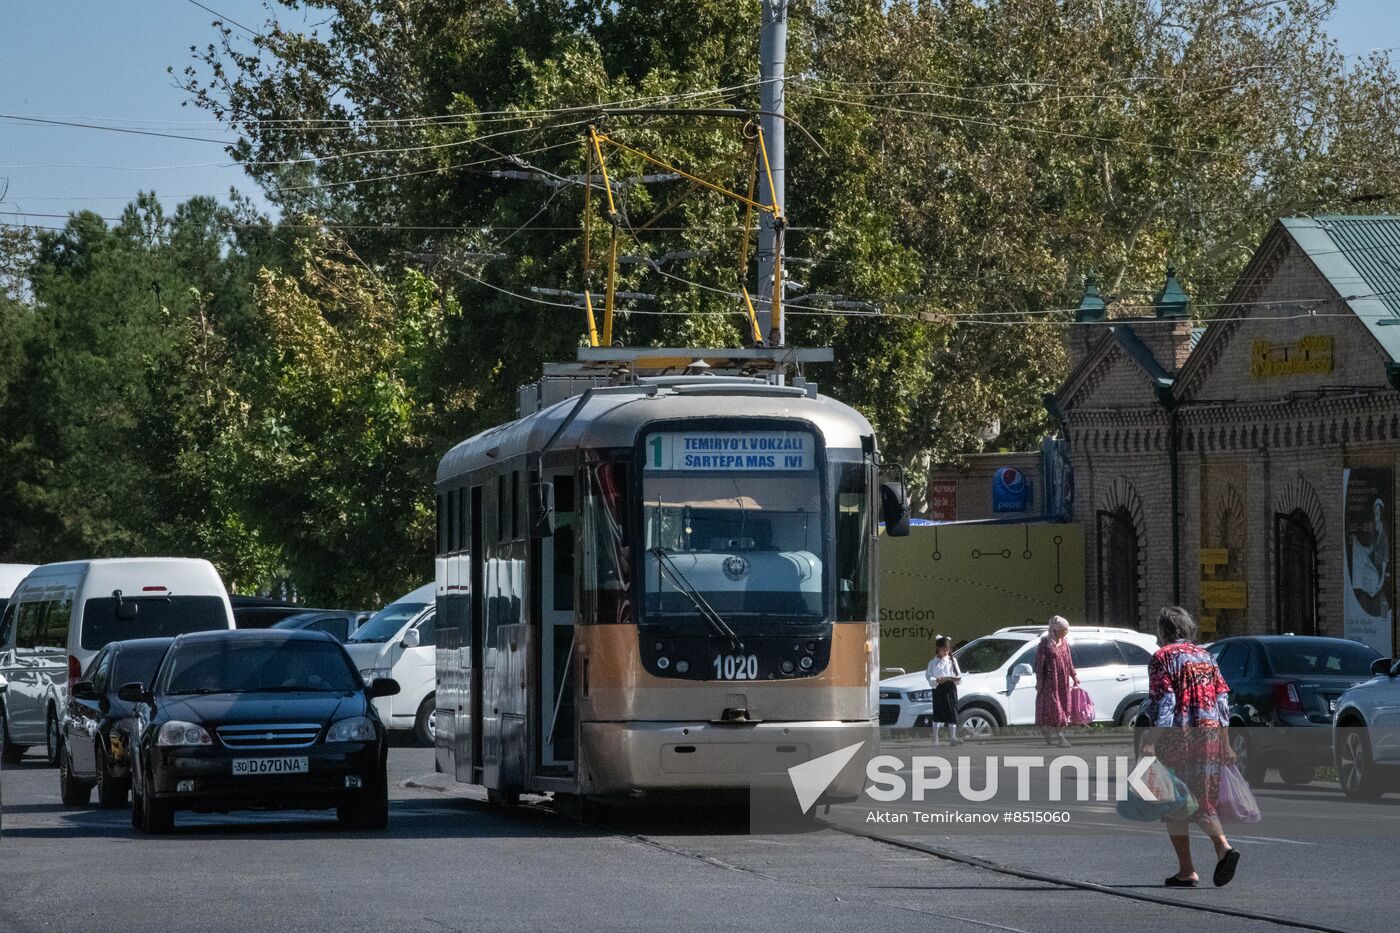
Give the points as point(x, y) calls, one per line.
point(748, 546)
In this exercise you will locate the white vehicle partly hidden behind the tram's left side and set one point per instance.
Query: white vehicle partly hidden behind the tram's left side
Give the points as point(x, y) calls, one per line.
point(401, 642)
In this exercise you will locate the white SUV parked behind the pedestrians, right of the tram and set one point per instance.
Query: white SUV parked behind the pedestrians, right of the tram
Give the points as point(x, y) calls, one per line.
point(999, 687)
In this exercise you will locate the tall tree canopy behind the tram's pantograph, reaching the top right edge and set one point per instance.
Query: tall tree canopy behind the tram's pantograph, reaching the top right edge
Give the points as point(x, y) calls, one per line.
point(976, 160)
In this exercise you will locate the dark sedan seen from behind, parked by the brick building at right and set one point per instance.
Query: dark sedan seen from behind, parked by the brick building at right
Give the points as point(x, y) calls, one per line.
point(1283, 691)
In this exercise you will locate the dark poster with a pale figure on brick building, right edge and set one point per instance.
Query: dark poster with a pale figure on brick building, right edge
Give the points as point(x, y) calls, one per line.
point(1367, 588)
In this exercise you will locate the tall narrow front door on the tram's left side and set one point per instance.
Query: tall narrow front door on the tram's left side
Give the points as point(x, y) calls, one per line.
point(556, 656)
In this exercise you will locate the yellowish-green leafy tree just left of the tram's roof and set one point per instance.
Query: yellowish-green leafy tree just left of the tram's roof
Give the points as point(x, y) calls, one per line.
point(335, 436)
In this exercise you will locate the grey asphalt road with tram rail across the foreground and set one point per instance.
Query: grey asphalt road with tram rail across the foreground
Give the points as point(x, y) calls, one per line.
point(451, 862)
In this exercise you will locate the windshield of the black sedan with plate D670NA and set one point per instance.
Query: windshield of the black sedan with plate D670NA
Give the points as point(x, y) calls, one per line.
point(226, 666)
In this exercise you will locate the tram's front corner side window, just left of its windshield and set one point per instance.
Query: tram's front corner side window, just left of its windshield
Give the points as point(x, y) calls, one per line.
point(605, 571)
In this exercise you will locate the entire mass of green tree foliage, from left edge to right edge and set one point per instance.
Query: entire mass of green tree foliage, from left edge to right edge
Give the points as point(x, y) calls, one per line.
point(278, 399)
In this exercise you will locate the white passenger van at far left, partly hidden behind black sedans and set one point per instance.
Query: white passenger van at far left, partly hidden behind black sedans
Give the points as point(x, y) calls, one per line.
point(64, 614)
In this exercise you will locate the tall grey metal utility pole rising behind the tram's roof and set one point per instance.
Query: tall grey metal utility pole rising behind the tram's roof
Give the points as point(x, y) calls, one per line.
point(772, 96)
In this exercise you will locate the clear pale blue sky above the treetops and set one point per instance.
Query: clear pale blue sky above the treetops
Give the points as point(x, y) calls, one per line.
point(94, 61)
